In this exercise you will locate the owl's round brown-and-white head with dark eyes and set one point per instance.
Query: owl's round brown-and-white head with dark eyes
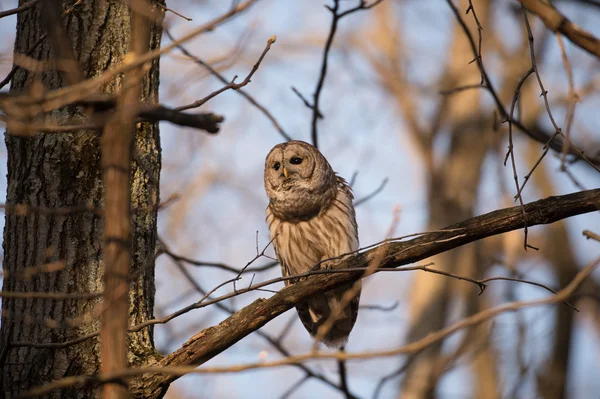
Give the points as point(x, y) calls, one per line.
point(298, 179)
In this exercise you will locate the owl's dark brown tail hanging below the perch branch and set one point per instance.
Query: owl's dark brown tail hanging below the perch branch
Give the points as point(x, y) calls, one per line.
point(315, 311)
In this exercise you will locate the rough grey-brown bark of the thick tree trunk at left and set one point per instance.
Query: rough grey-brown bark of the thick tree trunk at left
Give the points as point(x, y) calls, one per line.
point(63, 170)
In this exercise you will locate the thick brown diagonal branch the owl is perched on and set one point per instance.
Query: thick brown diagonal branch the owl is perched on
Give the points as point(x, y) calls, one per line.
point(214, 340)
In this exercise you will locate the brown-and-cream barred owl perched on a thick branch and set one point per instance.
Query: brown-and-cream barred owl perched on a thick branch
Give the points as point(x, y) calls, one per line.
point(311, 218)
